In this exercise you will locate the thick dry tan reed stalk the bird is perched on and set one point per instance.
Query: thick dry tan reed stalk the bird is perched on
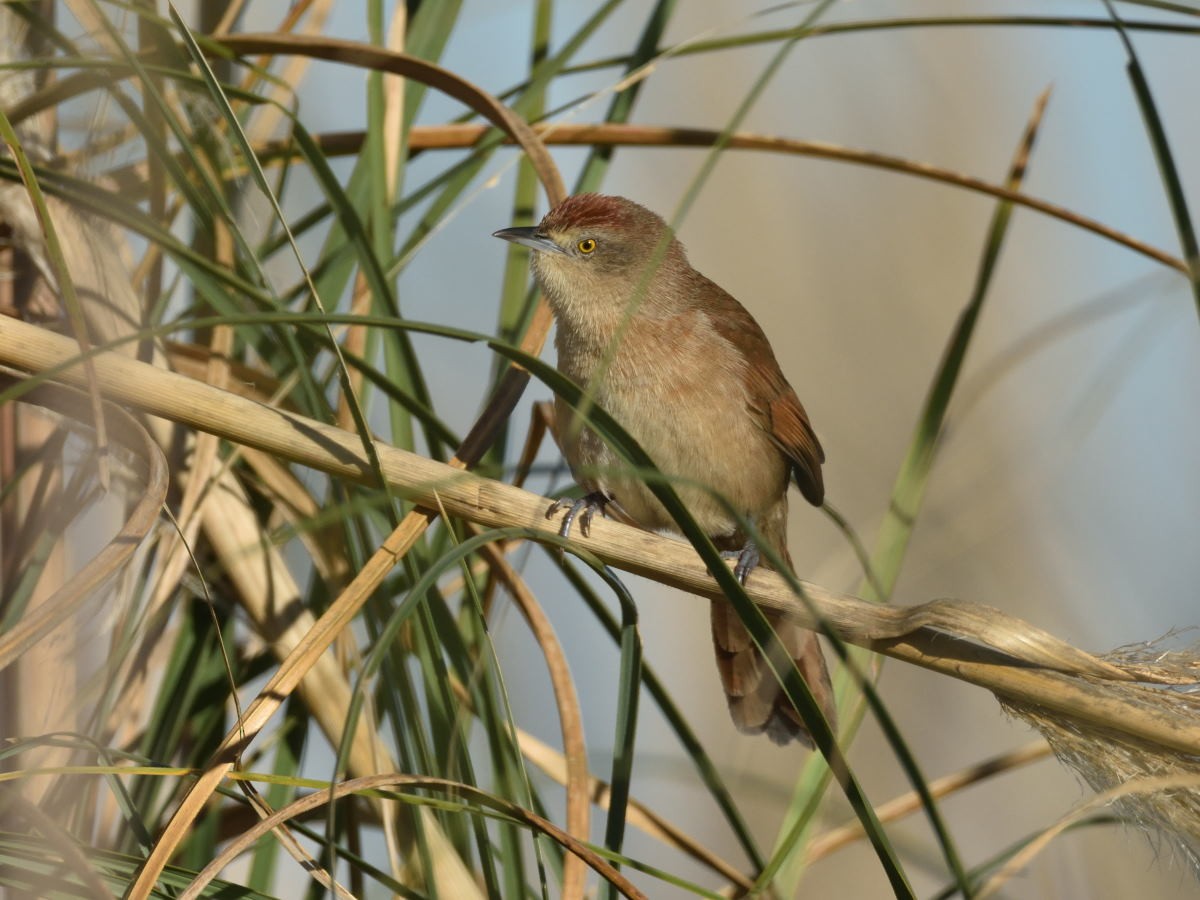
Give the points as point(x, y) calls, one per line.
point(1115, 703)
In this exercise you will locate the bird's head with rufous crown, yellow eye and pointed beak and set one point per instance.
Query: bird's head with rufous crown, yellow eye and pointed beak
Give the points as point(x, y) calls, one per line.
point(597, 250)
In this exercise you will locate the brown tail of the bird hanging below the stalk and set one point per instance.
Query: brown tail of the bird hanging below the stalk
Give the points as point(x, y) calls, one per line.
point(757, 699)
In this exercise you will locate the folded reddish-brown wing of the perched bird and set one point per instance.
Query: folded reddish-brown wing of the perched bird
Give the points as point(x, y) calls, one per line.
point(772, 399)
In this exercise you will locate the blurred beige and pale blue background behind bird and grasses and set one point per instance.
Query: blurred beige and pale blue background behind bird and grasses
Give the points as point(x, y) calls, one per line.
point(1066, 488)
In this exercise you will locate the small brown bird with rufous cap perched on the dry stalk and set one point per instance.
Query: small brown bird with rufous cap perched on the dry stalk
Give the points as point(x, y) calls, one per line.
point(691, 376)
